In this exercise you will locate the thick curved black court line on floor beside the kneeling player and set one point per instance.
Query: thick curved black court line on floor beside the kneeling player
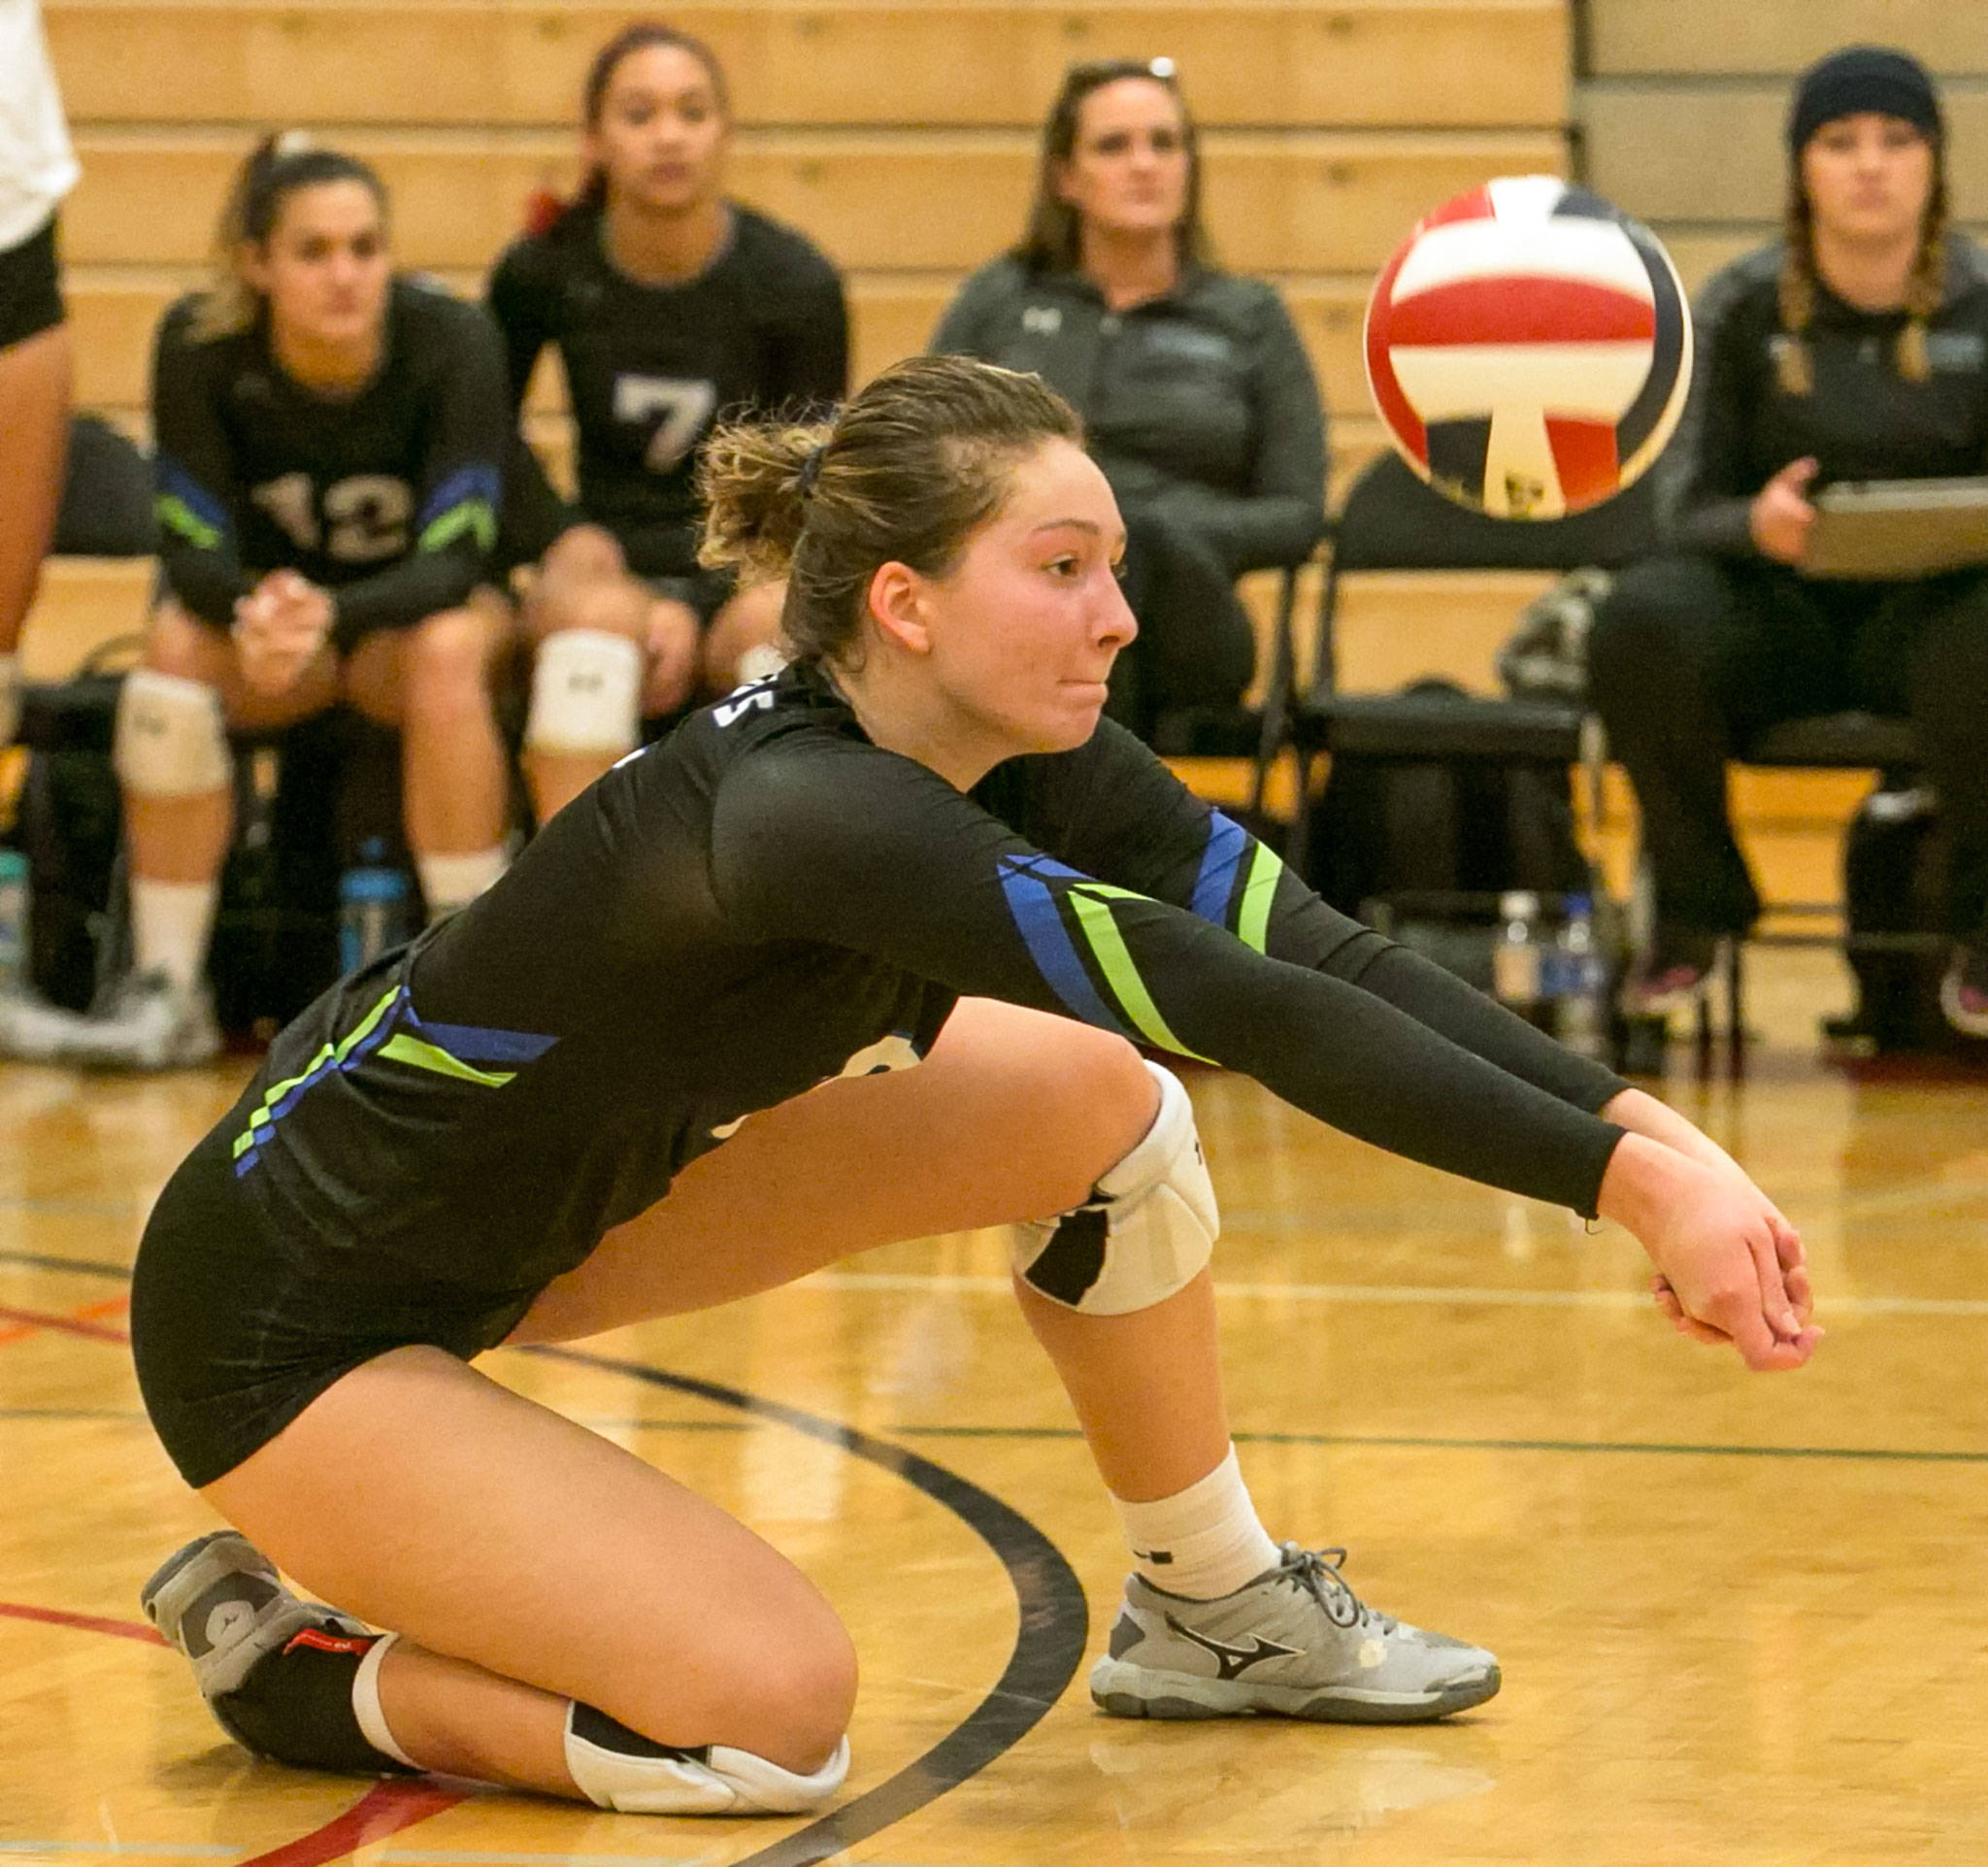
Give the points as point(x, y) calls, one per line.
point(1049, 1643)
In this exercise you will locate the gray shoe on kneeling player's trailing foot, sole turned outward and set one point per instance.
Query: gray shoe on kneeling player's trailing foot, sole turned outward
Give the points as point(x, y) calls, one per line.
point(222, 1604)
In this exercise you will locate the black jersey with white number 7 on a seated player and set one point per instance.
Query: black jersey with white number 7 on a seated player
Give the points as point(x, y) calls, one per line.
point(649, 369)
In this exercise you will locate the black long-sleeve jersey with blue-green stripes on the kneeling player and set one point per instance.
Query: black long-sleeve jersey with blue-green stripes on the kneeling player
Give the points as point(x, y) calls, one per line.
point(768, 900)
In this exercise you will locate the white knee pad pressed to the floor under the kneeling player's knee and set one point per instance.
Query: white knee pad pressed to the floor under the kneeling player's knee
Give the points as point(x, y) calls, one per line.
point(617, 1771)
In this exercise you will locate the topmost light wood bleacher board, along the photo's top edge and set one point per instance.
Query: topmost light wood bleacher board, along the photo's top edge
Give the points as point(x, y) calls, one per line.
point(1367, 63)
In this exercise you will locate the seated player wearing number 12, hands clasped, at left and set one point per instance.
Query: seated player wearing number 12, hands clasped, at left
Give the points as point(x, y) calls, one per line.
point(329, 442)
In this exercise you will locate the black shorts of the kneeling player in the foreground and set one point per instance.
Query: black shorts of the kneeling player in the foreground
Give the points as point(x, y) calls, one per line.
point(238, 1329)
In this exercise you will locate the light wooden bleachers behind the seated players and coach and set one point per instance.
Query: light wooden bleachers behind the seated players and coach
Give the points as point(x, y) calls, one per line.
point(900, 138)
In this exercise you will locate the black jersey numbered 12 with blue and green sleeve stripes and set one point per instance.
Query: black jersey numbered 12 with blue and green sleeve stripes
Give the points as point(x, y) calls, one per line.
point(387, 498)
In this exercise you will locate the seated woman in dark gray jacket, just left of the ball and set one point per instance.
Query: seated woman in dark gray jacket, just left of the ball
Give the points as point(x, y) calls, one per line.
point(1196, 393)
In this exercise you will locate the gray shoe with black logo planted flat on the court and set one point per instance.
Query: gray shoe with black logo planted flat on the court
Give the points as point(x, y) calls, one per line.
point(1295, 1643)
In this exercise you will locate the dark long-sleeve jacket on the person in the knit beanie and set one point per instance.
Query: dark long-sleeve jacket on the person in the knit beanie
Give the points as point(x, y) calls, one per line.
point(1862, 421)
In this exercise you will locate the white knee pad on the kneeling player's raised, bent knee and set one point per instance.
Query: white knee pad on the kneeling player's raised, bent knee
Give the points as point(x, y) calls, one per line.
point(1146, 1232)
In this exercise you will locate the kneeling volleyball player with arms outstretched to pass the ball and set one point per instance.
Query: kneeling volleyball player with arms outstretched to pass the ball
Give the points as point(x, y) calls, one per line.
point(675, 1059)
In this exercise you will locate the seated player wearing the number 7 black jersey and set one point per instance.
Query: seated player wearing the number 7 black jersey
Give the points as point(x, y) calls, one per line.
point(667, 303)
